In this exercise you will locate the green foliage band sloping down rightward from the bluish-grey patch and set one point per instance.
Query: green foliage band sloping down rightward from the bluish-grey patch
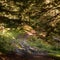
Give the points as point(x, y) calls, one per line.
point(44, 46)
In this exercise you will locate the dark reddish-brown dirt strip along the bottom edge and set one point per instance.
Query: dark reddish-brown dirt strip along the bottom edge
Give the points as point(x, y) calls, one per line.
point(23, 57)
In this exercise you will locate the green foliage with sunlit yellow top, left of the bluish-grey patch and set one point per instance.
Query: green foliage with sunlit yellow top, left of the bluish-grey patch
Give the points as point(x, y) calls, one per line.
point(7, 40)
